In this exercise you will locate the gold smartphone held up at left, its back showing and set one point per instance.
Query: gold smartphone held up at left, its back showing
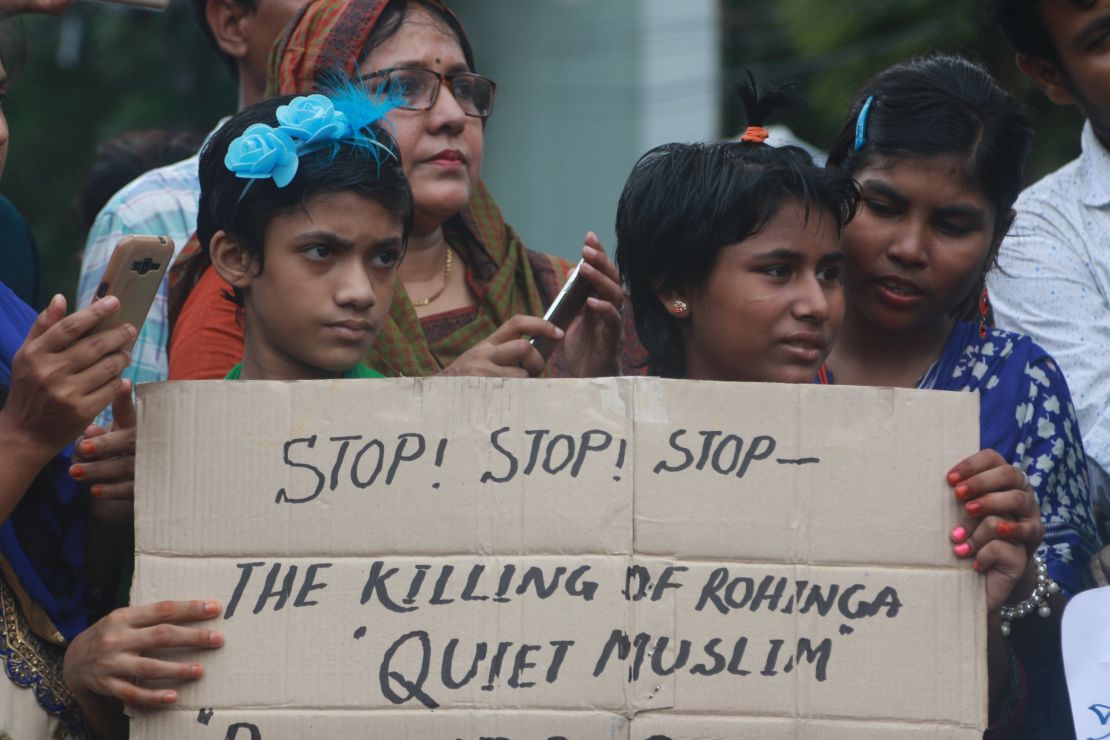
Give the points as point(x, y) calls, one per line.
point(133, 276)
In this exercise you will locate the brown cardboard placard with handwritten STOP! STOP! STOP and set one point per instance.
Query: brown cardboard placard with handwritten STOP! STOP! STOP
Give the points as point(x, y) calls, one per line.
point(617, 559)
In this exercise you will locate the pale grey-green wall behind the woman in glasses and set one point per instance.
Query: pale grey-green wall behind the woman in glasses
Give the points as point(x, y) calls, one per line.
point(586, 87)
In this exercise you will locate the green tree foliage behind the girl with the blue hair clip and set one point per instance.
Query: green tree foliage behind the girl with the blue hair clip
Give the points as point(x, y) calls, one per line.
point(834, 46)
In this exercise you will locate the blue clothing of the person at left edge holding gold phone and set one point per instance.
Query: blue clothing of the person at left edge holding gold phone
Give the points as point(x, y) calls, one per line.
point(43, 543)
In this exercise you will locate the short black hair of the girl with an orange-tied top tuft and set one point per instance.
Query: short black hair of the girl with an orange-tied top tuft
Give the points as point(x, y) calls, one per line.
point(684, 204)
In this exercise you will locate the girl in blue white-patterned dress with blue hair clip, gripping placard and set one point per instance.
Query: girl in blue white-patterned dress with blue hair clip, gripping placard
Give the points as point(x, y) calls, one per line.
point(939, 151)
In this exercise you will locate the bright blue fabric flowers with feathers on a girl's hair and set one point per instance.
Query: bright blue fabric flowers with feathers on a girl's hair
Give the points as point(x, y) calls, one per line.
point(309, 124)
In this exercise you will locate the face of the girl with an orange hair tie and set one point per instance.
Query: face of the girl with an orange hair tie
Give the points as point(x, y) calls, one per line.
point(772, 306)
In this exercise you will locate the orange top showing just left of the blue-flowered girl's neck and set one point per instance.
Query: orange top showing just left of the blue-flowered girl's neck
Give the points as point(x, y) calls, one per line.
point(208, 339)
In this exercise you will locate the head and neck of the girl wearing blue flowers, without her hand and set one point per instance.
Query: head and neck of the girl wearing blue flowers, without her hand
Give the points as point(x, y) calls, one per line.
point(306, 212)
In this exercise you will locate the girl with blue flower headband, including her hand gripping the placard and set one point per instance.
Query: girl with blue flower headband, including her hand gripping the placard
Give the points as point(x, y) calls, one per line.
point(307, 212)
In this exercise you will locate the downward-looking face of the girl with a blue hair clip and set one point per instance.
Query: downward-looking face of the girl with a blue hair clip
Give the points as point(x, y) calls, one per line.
point(919, 246)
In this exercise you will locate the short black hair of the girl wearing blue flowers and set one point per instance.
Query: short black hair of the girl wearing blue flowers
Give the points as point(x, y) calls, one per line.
point(228, 205)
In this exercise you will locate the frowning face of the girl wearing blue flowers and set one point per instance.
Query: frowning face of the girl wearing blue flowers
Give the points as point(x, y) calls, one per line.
point(326, 288)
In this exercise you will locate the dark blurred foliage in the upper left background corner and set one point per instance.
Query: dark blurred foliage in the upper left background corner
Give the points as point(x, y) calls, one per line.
point(78, 80)
